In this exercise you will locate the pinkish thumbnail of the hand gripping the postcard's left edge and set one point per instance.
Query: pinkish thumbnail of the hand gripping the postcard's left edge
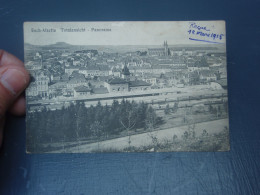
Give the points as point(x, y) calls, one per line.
point(13, 80)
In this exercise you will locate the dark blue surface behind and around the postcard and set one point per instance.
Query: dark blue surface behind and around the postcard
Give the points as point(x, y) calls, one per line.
point(234, 172)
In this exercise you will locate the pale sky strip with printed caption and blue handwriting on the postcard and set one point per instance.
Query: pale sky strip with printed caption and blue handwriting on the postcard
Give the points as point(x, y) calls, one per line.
point(124, 33)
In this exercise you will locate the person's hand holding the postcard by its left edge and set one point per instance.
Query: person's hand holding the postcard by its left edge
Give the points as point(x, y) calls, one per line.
point(13, 80)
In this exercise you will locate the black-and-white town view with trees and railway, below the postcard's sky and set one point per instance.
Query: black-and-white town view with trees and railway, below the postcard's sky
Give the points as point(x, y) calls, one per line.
point(185, 87)
